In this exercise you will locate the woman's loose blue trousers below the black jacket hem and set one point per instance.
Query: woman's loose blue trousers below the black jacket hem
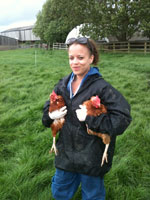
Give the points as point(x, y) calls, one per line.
point(65, 184)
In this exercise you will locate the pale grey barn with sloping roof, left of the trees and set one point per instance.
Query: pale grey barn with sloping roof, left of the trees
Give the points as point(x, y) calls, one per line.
point(22, 34)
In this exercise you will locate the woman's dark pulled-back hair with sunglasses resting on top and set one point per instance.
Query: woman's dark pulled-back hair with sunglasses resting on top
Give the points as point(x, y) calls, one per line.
point(89, 43)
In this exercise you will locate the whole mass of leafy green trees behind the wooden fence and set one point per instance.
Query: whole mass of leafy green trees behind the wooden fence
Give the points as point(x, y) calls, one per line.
point(100, 18)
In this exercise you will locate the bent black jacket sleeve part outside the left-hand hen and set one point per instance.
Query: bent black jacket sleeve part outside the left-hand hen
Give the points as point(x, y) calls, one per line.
point(46, 120)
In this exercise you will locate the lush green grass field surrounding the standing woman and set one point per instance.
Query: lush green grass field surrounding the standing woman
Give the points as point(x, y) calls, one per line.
point(26, 168)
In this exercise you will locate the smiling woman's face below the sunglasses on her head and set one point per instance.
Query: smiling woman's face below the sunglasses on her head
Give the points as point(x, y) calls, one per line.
point(79, 59)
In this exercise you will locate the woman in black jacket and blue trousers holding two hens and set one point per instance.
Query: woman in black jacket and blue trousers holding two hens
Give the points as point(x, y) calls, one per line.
point(79, 154)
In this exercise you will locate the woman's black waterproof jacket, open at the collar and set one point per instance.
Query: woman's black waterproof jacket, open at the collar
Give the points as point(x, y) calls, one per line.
point(78, 151)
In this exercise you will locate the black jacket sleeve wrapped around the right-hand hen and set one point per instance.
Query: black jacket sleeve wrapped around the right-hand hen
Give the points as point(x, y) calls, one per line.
point(117, 118)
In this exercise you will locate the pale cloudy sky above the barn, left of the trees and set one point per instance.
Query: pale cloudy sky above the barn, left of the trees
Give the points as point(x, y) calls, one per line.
point(18, 13)
